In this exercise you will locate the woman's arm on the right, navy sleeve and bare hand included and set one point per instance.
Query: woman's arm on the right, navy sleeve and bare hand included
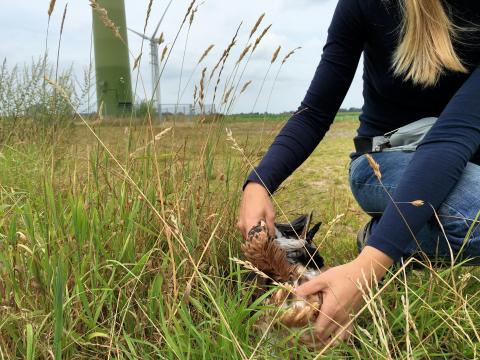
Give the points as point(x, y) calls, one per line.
point(435, 169)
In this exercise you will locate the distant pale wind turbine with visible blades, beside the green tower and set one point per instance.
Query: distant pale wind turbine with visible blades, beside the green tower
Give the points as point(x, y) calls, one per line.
point(154, 62)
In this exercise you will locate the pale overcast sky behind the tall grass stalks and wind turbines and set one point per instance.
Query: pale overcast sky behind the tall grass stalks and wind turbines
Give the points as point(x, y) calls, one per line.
point(302, 23)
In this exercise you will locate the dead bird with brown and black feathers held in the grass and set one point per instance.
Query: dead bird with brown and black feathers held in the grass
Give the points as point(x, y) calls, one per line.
point(290, 258)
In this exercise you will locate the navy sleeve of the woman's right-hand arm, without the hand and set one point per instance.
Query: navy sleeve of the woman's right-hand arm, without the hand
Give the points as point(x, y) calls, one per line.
point(436, 167)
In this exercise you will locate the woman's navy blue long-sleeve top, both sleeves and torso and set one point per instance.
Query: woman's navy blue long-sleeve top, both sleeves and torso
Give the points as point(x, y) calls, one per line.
point(372, 27)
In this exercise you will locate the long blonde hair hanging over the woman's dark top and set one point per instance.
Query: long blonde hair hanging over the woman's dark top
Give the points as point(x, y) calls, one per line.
point(426, 47)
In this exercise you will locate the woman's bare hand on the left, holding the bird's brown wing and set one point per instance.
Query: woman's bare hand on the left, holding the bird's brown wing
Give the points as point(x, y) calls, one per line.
point(255, 206)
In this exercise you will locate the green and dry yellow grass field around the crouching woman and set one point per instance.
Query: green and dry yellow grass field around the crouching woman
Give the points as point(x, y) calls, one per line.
point(120, 248)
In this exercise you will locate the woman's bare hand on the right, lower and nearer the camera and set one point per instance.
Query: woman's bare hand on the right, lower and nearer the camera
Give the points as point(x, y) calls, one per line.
point(341, 294)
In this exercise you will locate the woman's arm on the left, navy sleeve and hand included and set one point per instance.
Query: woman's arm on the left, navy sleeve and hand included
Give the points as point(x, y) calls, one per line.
point(304, 130)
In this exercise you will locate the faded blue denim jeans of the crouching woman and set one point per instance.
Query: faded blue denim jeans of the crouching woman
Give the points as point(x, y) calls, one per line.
point(457, 214)
